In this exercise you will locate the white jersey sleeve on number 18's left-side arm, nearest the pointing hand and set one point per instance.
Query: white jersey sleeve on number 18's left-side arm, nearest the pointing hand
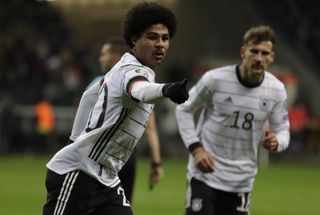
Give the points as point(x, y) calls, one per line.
point(199, 96)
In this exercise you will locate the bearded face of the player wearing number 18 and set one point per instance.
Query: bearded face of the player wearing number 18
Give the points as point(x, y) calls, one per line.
point(257, 57)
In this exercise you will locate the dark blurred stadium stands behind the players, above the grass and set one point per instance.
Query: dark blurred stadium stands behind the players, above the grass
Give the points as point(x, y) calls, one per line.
point(49, 53)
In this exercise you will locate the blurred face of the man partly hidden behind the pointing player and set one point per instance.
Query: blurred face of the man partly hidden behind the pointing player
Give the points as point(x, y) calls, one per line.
point(107, 59)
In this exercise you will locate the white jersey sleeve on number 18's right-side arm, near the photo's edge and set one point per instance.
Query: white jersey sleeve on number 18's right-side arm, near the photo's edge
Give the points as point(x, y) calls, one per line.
point(279, 121)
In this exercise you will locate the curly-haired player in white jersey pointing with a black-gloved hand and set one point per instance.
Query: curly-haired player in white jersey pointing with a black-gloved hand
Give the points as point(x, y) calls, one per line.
point(82, 177)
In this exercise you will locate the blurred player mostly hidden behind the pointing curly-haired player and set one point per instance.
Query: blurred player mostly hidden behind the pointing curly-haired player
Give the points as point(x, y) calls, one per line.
point(110, 54)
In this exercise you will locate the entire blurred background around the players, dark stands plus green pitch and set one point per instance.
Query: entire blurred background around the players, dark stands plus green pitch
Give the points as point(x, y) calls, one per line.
point(49, 53)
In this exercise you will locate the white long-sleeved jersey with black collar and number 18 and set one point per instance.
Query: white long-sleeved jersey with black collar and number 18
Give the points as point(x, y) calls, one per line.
point(231, 123)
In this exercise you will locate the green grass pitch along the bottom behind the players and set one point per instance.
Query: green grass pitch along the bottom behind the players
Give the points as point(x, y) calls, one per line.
point(280, 189)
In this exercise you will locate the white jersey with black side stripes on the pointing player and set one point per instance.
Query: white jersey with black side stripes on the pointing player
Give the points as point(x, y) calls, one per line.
point(115, 125)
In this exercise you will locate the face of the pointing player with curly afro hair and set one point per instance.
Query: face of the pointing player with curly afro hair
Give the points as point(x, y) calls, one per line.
point(151, 47)
